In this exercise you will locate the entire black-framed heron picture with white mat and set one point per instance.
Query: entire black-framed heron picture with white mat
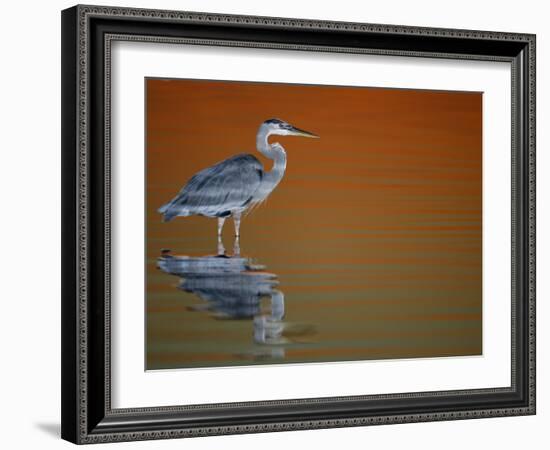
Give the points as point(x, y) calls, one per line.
point(278, 224)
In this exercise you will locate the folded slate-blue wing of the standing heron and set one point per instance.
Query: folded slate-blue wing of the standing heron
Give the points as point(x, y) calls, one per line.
point(218, 190)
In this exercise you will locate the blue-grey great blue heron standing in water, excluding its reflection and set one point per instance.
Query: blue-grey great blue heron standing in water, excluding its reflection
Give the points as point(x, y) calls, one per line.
point(235, 184)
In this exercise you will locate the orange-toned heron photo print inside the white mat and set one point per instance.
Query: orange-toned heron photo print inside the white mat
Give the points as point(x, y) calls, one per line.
point(292, 223)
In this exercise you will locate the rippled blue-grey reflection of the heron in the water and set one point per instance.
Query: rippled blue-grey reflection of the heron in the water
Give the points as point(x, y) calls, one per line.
point(233, 288)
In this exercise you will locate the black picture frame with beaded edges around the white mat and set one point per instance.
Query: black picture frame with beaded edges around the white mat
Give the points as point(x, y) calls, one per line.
point(87, 35)
